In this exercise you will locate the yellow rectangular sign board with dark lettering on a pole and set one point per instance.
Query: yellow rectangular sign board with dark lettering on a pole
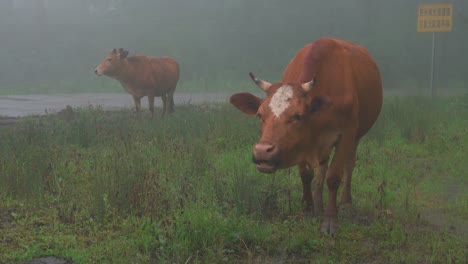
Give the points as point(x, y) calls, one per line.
point(435, 17)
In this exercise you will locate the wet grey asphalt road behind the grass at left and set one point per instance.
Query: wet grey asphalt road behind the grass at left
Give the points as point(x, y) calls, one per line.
point(26, 105)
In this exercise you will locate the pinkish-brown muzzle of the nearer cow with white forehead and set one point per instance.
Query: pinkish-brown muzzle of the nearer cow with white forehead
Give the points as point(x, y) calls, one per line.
point(265, 157)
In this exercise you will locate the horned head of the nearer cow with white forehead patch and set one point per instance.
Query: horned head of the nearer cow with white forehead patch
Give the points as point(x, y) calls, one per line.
point(288, 119)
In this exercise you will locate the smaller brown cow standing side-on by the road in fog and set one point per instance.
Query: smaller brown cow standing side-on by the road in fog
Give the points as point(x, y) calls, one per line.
point(143, 76)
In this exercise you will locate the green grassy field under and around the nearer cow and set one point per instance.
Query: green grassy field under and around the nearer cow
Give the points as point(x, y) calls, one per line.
point(116, 187)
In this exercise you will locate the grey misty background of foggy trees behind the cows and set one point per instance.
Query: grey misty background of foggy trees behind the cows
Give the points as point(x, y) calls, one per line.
point(54, 45)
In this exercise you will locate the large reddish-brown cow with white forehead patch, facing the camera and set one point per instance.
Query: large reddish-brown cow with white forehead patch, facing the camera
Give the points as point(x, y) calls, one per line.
point(329, 97)
